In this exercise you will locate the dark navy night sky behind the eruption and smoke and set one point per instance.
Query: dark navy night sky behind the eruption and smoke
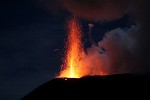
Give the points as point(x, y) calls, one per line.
point(32, 43)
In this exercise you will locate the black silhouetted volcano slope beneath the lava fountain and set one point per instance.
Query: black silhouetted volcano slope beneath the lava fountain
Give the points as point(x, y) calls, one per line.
point(91, 87)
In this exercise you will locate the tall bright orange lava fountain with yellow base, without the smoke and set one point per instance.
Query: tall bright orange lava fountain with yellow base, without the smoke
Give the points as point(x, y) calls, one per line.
point(74, 48)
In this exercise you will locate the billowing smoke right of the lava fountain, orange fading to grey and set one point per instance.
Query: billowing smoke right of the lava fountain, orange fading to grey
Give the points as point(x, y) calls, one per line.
point(115, 54)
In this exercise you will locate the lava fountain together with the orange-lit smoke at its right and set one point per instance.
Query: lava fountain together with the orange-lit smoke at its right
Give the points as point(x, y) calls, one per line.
point(77, 63)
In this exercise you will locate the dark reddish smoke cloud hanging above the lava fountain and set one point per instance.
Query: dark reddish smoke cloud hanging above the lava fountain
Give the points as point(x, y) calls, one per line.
point(97, 9)
